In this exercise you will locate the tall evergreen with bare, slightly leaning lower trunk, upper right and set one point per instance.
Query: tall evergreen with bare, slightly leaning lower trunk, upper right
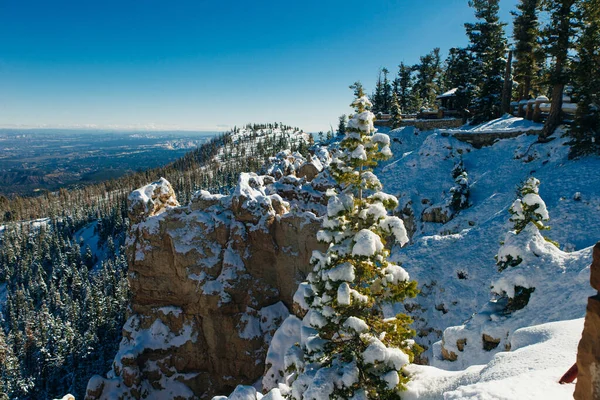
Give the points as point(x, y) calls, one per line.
point(558, 39)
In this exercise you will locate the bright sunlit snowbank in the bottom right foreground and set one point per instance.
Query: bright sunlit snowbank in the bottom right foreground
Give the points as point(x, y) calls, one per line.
point(531, 370)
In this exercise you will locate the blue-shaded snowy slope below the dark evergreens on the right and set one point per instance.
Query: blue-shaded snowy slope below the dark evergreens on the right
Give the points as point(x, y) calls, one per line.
point(454, 262)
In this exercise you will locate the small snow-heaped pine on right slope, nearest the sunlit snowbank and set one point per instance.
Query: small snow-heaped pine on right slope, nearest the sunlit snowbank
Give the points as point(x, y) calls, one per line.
point(528, 213)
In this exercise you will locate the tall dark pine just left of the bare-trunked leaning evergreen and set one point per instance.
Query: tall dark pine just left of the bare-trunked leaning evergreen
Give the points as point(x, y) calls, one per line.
point(527, 52)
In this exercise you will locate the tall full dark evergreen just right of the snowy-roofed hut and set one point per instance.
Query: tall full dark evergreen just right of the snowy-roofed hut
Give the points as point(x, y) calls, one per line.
point(488, 47)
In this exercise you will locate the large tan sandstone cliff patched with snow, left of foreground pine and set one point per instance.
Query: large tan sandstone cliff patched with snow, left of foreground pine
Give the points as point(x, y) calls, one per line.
point(211, 282)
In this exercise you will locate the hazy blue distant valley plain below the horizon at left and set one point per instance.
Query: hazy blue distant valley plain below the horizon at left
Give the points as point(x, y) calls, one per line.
point(47, 159)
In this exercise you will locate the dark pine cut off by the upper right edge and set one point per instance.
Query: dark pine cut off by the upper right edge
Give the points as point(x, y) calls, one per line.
point(586, 77)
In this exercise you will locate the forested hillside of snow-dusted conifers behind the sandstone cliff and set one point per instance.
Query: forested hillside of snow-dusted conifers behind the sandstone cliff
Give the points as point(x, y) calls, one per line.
point(63, 286)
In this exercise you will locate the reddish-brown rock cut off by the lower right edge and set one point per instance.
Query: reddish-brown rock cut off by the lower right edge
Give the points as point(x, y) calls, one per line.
point(588, 351)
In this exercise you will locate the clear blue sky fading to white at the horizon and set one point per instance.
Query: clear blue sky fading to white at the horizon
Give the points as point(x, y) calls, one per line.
point(208, 64)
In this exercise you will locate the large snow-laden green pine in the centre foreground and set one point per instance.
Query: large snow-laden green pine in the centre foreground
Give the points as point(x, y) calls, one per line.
point(352, 351)
